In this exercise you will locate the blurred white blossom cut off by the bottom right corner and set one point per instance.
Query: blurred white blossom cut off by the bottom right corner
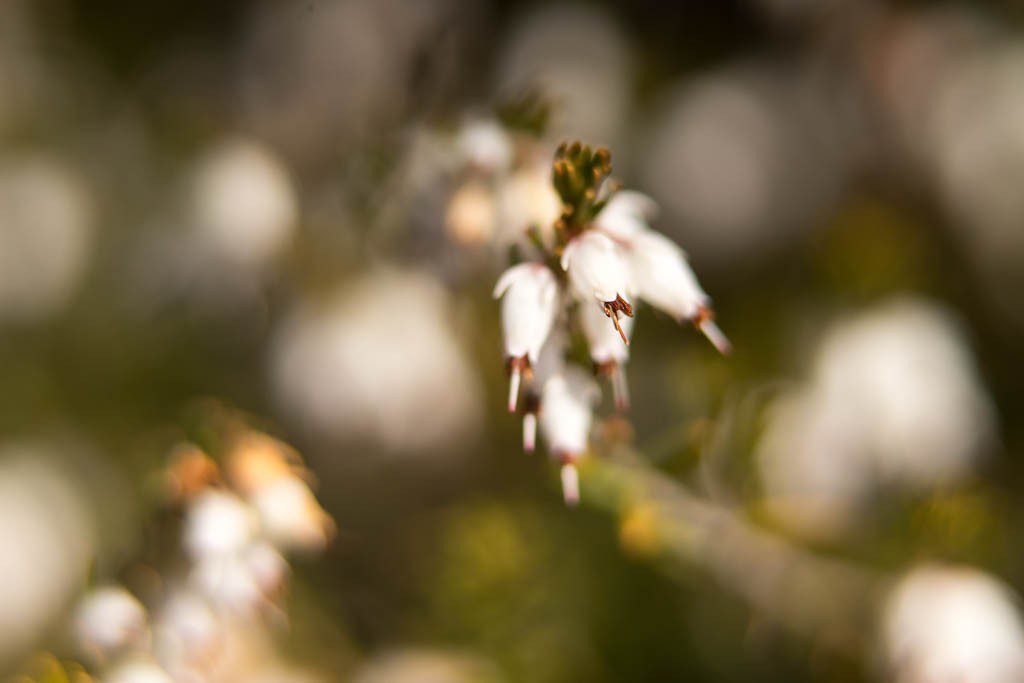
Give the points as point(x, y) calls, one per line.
point(944, 625)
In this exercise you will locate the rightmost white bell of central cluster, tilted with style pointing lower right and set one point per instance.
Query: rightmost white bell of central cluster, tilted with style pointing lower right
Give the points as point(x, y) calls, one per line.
point(663, 277)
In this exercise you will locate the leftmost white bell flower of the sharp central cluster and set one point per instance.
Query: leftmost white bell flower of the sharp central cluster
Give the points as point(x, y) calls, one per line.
point(530, 304)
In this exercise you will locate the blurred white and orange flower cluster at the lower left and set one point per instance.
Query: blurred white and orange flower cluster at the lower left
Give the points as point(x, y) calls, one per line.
point(238, 522)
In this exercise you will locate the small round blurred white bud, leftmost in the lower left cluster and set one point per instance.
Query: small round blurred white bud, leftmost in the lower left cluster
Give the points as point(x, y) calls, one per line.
point(110, 620)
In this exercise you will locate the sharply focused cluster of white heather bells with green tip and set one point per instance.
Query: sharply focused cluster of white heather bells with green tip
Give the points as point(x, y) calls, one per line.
point(586, 274)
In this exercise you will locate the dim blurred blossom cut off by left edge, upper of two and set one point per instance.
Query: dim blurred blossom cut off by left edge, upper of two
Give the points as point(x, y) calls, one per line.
point(46, 236)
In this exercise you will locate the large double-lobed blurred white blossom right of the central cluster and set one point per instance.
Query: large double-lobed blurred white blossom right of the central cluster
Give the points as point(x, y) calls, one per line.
point(895, 399)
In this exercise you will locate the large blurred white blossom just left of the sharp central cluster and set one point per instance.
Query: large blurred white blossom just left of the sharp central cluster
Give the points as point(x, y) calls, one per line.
point(348, 370)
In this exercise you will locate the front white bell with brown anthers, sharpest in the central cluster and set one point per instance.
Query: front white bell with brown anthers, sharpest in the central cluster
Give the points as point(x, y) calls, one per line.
point(599, 271)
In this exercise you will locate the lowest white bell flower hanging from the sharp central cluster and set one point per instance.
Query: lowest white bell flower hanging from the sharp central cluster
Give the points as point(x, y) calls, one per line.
point(568, 405)
